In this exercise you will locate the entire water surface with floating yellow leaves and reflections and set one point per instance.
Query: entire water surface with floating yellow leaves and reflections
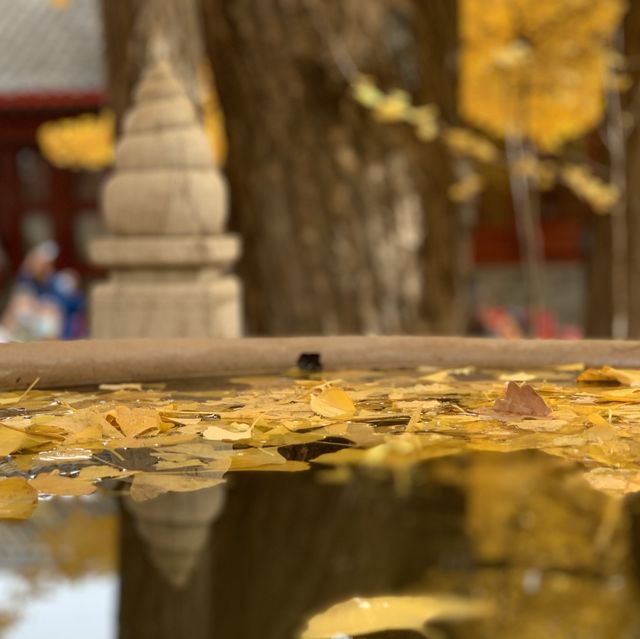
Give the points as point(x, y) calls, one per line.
point(410, 492)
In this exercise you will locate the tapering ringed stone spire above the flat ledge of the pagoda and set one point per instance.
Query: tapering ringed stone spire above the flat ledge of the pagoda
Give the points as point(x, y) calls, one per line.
point(165, 180)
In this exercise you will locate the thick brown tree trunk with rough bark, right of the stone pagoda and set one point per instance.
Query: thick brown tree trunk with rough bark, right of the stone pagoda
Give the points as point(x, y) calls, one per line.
point(345, 221)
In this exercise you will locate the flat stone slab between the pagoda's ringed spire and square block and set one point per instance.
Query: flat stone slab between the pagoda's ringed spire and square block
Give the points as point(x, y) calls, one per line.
point(117, 251)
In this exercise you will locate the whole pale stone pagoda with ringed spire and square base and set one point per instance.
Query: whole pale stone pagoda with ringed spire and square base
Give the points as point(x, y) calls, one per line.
point(165, 208)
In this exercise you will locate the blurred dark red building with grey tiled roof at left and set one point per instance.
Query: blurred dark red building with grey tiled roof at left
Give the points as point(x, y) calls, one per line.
point(51, 66)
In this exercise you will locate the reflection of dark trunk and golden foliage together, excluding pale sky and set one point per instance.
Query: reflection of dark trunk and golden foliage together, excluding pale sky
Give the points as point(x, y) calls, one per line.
point(522, 530)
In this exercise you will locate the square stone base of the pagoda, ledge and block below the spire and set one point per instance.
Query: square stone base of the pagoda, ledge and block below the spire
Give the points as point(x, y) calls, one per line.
point(159, 287)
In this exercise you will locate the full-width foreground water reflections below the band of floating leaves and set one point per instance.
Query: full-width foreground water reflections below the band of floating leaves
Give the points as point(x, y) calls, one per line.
point(264, 553)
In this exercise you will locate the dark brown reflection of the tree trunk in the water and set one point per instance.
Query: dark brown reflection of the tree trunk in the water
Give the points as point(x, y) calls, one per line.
point(287, 546)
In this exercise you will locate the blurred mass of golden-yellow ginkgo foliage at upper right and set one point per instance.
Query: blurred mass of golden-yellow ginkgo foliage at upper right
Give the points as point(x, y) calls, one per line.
point(536, 69)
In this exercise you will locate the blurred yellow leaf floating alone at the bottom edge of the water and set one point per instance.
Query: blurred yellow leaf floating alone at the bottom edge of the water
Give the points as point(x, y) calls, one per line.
point(359, 616)
